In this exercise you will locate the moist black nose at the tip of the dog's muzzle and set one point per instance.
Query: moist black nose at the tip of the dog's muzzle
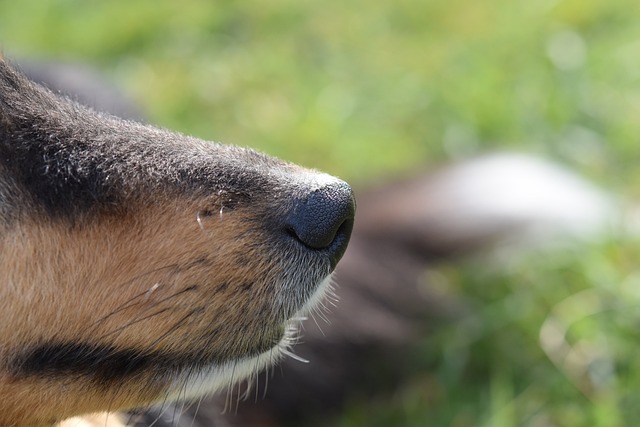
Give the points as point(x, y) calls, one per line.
point(324, 218)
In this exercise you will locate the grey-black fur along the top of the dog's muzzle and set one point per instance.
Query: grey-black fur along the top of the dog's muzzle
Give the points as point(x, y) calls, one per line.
point(71, 160)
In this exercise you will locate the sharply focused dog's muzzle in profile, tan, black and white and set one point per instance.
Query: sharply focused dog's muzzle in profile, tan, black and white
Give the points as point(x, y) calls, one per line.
point(142, 266)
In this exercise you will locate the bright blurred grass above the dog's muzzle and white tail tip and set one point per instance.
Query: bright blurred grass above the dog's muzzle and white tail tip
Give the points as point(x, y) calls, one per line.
point(365, 89)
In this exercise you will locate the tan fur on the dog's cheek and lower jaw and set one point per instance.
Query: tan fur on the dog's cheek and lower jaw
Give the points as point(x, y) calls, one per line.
point(84, 295)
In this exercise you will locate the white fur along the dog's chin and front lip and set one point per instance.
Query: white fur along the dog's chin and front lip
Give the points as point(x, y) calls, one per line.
point(197, 382)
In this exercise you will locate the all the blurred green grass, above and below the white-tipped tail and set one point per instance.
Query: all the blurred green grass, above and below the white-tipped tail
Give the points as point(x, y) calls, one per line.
point(377, 91)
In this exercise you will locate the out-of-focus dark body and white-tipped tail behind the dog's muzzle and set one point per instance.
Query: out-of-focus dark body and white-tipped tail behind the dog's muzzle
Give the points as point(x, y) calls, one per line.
point(502, 202)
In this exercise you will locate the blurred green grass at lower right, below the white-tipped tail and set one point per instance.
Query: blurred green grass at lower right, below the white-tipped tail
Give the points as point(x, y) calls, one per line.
point(549, 339)
